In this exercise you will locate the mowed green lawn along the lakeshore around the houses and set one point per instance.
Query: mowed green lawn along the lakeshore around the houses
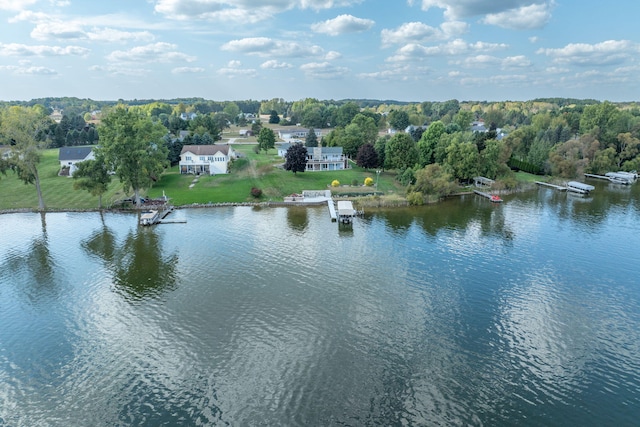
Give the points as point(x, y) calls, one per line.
point(252, 170)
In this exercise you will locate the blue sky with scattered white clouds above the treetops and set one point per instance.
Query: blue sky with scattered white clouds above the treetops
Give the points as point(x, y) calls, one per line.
point(405, 50)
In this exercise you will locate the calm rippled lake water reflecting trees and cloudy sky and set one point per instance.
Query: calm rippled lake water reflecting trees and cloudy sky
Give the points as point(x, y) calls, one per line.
point(461, 313)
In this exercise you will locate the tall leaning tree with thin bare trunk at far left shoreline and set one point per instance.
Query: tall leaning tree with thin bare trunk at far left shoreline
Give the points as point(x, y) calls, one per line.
point(24, 128)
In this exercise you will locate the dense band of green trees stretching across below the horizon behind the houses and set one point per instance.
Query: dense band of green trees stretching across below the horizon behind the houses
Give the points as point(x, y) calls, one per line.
point(427, 144)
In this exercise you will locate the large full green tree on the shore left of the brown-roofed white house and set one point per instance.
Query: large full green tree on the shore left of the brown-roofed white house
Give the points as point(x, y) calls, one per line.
point(132, 146)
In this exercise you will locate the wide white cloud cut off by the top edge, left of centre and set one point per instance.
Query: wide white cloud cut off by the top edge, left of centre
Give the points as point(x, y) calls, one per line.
point(240, 10)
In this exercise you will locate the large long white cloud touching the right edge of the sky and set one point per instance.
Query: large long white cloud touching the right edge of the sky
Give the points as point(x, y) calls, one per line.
point(605, 53)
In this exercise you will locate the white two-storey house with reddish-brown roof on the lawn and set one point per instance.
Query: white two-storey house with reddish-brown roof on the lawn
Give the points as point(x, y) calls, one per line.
point(206, 159)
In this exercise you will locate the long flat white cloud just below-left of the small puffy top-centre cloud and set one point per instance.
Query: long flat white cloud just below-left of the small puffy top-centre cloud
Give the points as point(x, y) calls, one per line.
point(265, 47)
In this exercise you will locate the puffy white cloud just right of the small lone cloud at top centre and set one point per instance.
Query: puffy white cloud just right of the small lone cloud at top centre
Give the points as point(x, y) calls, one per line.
point(418, 32)
